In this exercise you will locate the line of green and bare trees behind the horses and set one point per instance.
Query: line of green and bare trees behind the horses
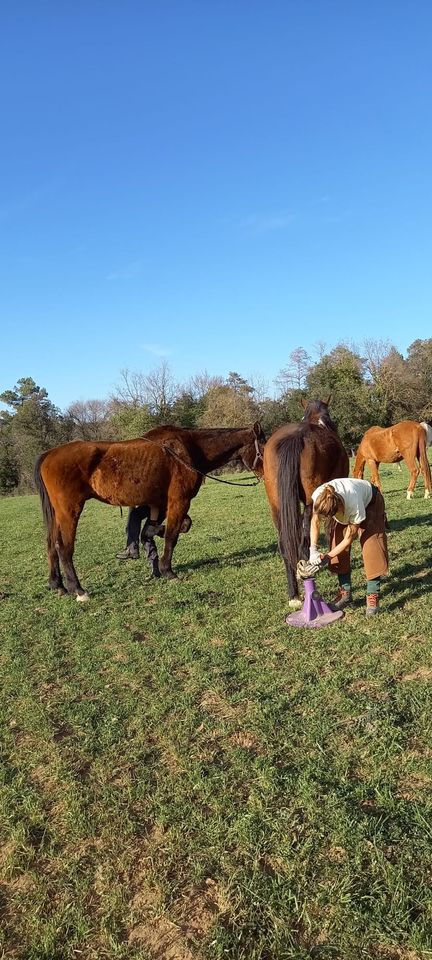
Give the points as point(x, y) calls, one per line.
point(374, 385)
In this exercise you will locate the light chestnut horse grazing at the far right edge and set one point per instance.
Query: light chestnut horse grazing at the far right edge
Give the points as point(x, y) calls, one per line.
point(406, 441)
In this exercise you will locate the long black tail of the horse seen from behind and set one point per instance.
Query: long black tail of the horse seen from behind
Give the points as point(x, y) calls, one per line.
point(290, 518)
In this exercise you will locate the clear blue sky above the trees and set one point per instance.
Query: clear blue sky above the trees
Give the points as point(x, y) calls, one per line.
point(211, 182)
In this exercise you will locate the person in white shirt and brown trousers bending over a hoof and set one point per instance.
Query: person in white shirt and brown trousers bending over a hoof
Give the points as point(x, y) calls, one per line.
point(353, 508)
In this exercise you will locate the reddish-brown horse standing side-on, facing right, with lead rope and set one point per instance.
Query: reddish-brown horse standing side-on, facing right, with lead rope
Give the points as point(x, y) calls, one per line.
point(163, 469)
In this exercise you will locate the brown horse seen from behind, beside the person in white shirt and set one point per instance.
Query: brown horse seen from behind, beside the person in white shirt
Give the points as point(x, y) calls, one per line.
point(297, 459)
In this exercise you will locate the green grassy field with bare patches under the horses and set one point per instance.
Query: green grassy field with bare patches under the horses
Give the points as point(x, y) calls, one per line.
point(183, 776)
